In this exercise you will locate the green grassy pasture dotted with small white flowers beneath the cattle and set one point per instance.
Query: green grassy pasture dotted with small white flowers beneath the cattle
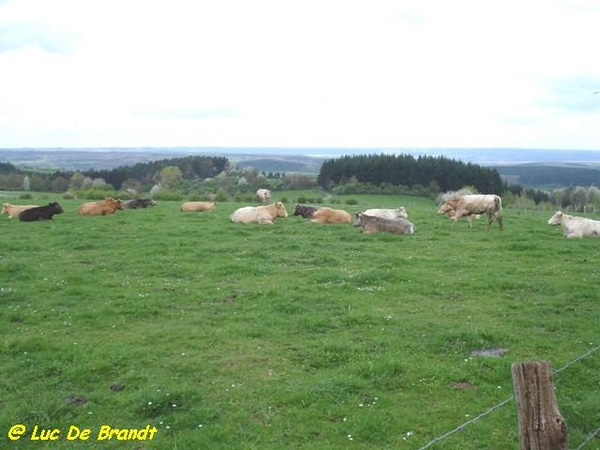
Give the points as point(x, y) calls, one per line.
point(291, 336)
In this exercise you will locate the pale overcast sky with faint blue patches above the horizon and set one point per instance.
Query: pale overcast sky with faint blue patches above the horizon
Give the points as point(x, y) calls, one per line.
point(310, 73)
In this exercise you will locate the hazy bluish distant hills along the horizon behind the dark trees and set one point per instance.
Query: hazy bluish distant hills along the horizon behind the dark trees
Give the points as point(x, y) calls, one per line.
point(529, 167)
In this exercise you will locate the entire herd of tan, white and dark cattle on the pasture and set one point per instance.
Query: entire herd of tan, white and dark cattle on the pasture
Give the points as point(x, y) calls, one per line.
point(393, 221)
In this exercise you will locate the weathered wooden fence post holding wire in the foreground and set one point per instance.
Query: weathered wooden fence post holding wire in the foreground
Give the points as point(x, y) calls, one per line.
point(541, 427)
